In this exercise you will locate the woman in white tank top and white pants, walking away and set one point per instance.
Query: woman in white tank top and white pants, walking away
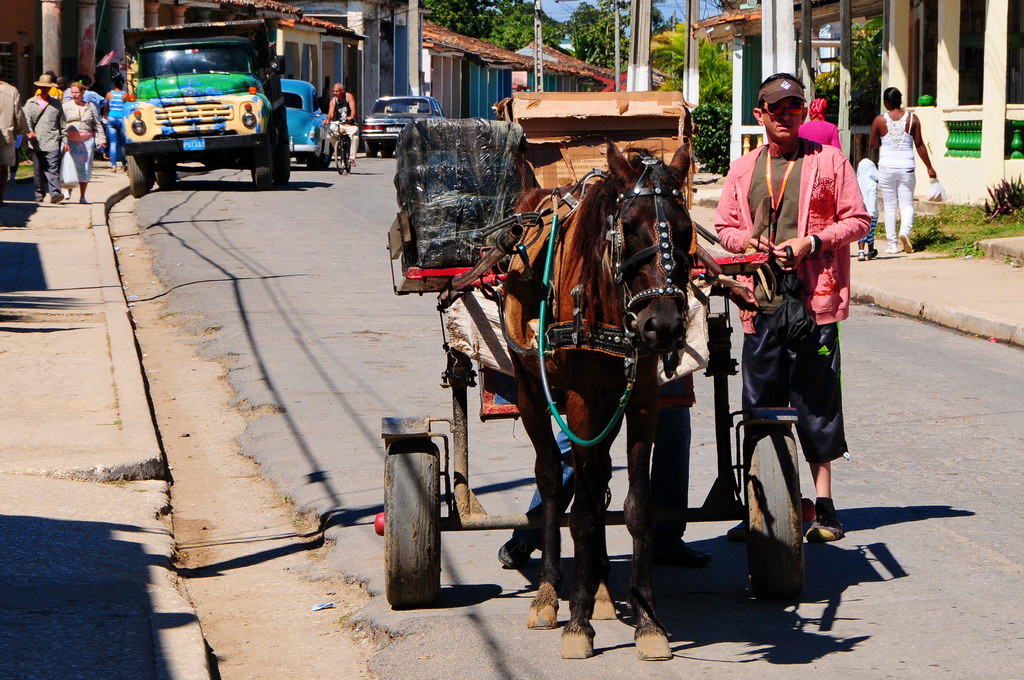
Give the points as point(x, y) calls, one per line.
point(897, 134)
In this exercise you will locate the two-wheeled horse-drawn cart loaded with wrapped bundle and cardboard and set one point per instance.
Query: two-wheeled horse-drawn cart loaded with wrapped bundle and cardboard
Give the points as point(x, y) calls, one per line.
point(457, 184)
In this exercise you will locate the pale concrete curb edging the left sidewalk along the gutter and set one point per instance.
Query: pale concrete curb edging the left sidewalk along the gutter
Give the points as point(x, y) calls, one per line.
point(182, 648)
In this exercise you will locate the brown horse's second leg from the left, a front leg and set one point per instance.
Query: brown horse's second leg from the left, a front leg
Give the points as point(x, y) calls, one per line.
point(593, 471)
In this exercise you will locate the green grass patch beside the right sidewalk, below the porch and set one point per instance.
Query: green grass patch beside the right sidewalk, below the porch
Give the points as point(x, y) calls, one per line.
point(955, 231)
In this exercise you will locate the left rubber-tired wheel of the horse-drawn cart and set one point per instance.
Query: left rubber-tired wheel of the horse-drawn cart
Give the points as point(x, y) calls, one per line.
point(412, 524)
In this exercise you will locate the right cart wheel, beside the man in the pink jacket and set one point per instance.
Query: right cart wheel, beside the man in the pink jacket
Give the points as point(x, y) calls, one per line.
point(776, 540)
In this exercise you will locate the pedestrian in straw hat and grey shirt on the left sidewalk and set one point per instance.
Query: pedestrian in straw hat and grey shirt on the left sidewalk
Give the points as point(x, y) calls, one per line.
point(46, 118)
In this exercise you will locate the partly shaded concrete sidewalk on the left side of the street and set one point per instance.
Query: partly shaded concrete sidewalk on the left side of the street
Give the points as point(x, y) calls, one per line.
point(88, 589)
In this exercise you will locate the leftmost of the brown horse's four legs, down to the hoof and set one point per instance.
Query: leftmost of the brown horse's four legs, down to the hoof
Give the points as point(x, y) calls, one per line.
point(544, 609)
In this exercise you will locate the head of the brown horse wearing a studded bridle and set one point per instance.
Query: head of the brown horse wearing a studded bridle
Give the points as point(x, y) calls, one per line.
point(653, 240)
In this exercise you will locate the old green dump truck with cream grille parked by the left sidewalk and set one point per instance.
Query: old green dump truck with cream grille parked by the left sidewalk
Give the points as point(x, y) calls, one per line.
point(208, 94)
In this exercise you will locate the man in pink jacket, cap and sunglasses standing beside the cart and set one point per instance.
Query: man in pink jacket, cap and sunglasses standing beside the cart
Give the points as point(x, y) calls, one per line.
point(814, 210)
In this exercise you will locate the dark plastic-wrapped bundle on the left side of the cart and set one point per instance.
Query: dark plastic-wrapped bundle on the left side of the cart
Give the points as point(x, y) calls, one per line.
point(455, 178)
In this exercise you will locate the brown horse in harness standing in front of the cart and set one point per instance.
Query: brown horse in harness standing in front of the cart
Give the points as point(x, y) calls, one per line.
point(621, 269)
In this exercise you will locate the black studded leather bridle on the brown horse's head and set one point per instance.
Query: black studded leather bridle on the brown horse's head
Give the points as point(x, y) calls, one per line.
point(667, 254)
